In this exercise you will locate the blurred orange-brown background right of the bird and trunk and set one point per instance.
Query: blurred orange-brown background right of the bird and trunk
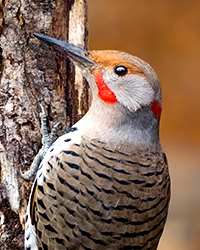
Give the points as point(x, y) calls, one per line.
point(166, 34)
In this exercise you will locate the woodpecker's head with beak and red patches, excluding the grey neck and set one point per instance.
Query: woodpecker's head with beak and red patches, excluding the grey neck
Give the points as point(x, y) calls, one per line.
point(119, 77)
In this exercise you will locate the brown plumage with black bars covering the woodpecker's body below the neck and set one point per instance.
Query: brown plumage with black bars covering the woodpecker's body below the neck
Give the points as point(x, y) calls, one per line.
point(95, 198)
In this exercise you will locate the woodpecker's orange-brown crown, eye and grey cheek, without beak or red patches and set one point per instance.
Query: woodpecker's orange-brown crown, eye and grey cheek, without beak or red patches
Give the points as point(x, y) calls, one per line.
point(134, 88)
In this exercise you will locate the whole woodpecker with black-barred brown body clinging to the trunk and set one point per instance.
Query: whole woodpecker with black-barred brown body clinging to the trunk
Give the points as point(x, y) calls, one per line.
point(105, 183)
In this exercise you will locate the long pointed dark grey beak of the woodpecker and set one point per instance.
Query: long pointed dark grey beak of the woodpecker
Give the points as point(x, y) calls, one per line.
point(76, 53)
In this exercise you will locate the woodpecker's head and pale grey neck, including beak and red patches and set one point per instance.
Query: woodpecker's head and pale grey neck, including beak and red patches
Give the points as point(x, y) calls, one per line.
point(125, 89)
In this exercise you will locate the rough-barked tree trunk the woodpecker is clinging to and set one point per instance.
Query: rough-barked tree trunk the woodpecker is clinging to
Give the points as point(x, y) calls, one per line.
point(30, 72)
